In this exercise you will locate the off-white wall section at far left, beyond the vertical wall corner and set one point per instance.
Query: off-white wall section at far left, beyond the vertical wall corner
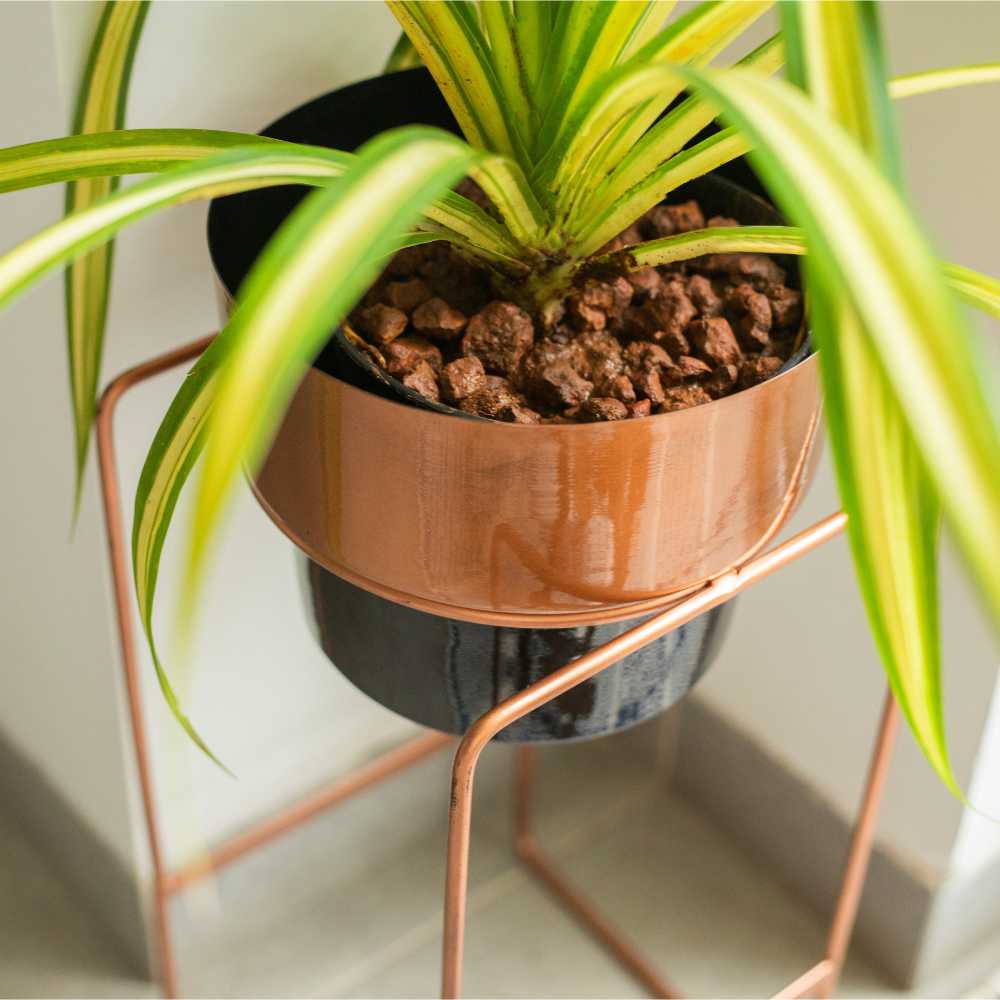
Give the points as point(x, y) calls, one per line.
point(58, 691)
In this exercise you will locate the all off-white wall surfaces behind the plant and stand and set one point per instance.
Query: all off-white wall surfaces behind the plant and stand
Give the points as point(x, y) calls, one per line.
point(799, 669)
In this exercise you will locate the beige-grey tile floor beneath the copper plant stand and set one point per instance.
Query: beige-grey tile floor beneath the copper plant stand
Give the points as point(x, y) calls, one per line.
point(315, 916)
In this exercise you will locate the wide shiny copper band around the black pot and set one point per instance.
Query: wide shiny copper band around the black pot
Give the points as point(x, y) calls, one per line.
point(535, 525)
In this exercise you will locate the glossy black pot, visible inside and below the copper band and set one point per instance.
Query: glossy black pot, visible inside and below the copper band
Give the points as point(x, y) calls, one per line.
point(436, 671)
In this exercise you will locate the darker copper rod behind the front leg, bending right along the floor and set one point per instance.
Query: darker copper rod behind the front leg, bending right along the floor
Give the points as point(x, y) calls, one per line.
point(584, 911)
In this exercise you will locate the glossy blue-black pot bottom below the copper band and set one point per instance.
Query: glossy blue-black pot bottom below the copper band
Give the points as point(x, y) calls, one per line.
point(445, 674)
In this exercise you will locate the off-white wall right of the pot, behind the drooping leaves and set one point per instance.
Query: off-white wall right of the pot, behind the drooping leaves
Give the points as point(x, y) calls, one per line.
point(799, 669)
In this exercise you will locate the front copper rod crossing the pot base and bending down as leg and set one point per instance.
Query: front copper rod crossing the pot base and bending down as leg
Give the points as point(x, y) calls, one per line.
point(558, 683)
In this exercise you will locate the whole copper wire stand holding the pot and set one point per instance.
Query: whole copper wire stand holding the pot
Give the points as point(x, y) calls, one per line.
point(819, 980)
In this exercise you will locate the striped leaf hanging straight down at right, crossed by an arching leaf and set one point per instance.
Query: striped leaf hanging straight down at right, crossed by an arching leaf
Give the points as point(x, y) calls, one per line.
point(893, 510)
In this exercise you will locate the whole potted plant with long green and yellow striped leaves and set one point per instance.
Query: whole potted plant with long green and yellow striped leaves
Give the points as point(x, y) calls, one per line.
point(577, 118)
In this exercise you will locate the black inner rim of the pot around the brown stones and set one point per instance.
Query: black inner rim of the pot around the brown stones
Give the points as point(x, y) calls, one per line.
point(305, 124)
